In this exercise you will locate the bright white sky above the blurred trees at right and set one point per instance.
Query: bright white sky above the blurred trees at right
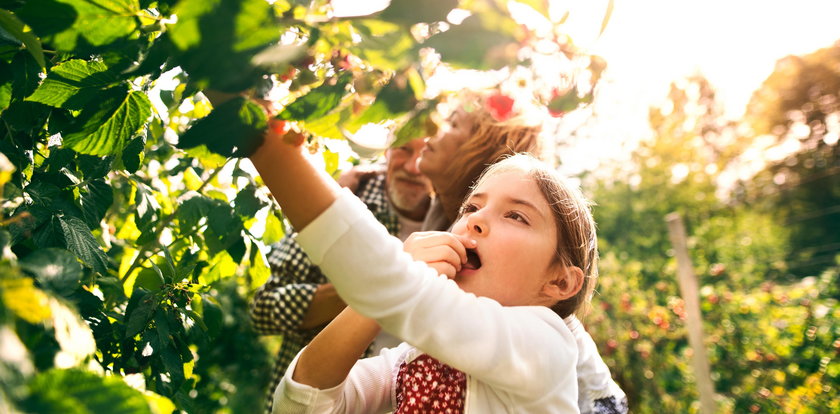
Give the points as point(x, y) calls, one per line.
point(649, 43)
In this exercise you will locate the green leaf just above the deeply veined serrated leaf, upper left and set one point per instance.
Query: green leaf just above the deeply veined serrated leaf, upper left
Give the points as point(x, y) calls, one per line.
point(73, 83)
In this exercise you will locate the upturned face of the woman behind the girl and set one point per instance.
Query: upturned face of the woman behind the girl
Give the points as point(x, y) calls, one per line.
point(444, 148)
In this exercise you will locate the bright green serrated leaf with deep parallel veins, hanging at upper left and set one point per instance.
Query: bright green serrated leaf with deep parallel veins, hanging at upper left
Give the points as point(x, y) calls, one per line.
point(110, 123)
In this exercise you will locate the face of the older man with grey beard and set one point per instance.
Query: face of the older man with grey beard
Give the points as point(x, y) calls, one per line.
point(408, 189)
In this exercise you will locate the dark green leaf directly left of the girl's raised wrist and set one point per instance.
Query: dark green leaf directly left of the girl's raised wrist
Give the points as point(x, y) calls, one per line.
point(234, 128)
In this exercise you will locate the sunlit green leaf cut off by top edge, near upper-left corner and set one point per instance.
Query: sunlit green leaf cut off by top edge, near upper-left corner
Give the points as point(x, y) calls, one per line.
point(68, 24)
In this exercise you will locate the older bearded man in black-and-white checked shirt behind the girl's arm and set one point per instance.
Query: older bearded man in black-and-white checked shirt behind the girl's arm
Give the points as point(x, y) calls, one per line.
point(297, 301)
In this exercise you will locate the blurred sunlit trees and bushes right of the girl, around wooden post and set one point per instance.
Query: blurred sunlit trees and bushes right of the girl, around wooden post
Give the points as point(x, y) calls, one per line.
point(761, 199)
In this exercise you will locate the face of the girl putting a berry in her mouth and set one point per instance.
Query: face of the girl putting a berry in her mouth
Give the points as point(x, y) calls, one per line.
point(509, 218)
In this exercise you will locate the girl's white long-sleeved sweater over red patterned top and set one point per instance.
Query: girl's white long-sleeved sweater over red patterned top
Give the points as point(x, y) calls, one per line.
point(517, 359)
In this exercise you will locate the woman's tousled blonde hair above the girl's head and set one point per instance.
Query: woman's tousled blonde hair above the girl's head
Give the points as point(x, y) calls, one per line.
point(489, 141)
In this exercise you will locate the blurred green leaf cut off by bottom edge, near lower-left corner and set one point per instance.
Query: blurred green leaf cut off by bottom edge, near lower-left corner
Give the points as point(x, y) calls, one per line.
point(78, 391)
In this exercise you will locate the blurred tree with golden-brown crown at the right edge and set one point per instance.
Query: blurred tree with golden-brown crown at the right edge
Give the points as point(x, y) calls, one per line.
point(797, 113)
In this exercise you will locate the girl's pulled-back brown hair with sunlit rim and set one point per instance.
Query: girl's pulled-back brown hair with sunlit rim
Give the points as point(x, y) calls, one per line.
point(577, 242)
